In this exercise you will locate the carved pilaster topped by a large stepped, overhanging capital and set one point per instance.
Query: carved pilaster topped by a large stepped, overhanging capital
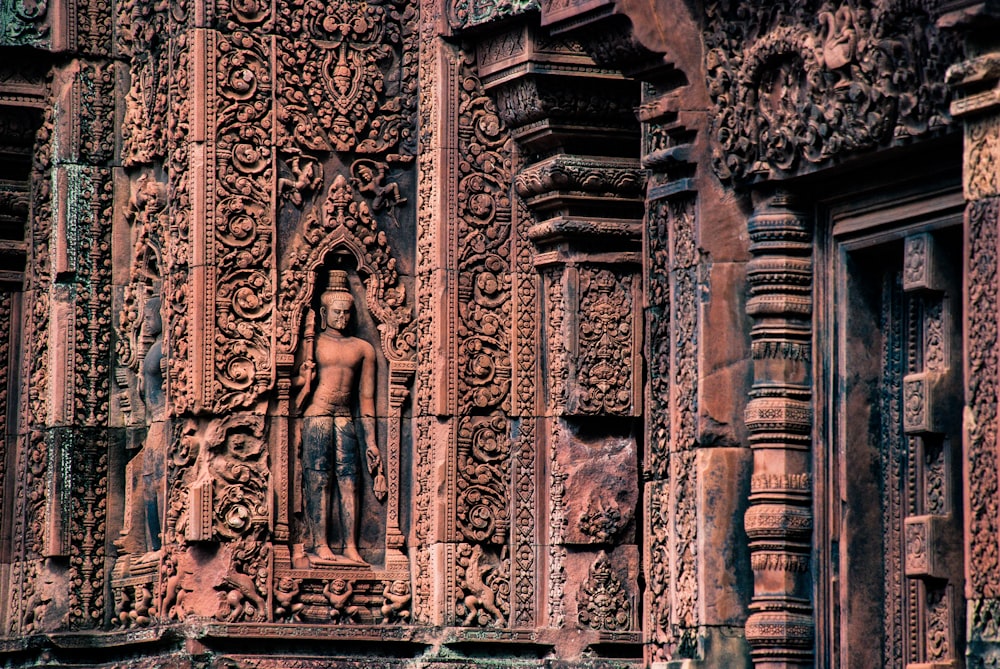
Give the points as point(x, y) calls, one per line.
point(576, 243)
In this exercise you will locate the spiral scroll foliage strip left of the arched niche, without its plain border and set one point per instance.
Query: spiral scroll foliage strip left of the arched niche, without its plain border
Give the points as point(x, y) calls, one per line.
point(243, 272)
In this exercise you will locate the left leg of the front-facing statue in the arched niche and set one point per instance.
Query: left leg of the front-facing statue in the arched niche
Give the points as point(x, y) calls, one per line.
point(317, 433)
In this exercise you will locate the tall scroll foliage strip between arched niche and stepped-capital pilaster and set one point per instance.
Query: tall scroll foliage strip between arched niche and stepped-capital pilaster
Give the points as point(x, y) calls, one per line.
point(481, 242)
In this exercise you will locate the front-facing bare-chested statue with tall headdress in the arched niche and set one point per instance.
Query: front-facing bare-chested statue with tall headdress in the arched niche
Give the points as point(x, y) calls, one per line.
point(339, 370)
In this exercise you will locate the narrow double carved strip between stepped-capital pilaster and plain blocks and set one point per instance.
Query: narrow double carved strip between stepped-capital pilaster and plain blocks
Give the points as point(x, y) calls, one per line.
point(671, 550)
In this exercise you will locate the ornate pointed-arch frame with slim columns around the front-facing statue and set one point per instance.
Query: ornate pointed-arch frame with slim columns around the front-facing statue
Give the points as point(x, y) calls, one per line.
point(342, 234)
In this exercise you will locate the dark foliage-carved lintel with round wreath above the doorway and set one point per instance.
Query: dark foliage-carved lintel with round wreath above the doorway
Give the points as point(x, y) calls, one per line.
point(793, 87)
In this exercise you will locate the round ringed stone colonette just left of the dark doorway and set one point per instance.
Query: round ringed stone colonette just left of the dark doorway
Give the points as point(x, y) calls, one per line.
point(779, 419)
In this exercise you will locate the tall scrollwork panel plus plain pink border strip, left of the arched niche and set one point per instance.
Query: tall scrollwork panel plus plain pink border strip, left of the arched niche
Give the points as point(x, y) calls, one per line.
point(235, 265)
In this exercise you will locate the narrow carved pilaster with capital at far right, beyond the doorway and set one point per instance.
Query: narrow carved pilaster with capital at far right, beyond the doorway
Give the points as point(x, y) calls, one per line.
point(977, 105)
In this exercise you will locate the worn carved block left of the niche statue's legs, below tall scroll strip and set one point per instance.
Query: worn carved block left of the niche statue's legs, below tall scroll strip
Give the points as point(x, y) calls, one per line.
point(224, 460)
